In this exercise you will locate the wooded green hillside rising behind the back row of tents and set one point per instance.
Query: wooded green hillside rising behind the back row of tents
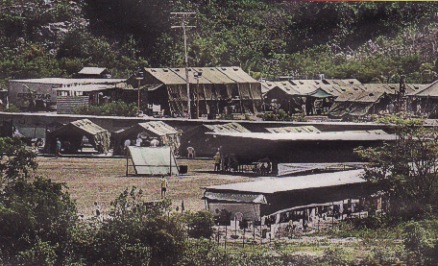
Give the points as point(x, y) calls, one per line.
point(373, 42)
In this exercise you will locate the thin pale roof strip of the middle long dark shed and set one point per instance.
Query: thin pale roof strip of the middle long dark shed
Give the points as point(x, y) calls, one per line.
point(356, 135)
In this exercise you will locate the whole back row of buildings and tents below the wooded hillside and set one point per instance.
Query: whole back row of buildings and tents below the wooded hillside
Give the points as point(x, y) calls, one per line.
point(217, 91)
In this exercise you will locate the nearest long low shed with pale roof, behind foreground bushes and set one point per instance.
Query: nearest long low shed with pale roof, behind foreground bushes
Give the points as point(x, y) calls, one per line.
point(277, 196)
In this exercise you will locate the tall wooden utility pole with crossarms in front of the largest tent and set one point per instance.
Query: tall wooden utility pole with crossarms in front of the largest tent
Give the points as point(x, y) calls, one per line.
point(183, 19)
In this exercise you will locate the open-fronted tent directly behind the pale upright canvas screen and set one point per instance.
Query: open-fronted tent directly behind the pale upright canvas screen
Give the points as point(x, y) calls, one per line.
point(166, 134)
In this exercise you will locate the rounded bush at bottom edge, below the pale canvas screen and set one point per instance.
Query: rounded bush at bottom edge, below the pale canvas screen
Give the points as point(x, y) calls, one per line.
point(139, 233)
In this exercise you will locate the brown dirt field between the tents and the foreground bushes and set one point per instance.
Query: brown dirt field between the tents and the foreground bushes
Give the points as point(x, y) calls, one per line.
point(101, 180)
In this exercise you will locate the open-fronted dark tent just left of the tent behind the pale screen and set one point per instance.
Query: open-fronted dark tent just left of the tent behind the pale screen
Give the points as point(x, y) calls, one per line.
point(72, 134)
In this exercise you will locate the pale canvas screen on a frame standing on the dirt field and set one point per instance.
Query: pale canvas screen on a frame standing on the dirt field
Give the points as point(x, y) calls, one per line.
point(151, 161)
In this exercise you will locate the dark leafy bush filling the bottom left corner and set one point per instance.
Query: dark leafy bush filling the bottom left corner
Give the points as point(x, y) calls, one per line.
point(34, 215)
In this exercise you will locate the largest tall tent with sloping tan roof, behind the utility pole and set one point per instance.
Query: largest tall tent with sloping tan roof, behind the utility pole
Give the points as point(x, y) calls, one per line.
point(216, 90)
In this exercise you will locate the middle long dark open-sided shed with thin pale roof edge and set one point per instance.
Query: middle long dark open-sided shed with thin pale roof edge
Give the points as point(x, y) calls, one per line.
point(291, 146)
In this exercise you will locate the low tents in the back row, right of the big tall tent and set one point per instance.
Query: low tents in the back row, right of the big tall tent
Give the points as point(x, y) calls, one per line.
point(347, 97)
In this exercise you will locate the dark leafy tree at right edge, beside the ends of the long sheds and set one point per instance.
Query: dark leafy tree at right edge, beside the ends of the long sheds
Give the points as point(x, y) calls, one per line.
point(406, 169)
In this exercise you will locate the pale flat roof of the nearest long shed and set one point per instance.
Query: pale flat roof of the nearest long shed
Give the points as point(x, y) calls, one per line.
point(273, 185)
